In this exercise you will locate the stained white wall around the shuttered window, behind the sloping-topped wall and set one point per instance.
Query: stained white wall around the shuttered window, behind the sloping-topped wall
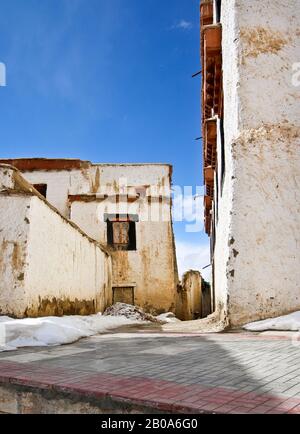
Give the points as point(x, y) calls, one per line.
point(152, 268)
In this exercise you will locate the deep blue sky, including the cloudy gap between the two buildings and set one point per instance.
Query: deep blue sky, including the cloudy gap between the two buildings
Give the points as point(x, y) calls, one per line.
point(106, 81)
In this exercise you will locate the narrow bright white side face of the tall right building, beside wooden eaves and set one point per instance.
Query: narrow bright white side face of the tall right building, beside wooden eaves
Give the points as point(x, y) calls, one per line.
point(231, 124)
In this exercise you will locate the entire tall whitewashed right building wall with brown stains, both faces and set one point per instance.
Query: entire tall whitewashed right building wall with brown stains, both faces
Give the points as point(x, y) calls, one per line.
point(258, 234)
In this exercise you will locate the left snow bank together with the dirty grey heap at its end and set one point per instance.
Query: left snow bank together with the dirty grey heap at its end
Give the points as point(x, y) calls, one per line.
point(50, 331)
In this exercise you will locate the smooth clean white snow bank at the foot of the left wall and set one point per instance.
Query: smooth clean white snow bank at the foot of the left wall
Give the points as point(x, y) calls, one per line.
point(50, 331)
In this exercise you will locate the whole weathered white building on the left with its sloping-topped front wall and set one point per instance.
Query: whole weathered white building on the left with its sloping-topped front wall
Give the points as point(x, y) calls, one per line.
point(76, 237)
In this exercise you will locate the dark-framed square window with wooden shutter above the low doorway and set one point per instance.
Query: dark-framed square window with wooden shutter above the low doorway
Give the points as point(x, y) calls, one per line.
point(121, 231)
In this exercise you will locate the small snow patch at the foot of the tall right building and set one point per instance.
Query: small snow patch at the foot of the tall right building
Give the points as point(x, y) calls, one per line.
point(289, 322)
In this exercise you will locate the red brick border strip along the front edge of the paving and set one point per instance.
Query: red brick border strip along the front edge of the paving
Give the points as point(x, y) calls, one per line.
point(152, 393)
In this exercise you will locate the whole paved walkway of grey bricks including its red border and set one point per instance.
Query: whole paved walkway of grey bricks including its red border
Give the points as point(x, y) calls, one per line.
point(220, 373)
